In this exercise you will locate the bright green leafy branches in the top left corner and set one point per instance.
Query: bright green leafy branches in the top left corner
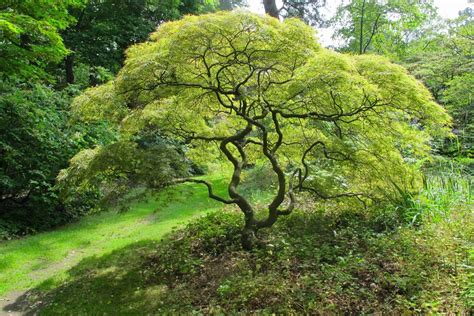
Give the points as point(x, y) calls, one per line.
point(29, 35)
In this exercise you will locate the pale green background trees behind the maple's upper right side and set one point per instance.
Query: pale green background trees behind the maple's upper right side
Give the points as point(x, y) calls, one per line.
point(437, 52)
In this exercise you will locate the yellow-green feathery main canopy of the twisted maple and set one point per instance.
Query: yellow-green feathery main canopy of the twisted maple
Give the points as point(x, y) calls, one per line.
point(365, 121)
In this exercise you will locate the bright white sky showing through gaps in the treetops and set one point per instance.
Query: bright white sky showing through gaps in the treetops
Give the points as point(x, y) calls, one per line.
point(446, 8)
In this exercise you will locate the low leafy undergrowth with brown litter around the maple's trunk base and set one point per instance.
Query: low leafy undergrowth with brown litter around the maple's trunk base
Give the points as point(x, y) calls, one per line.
point(315, 262)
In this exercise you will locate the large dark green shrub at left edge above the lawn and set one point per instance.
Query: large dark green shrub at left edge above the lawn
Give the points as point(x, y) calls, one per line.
point(36, 142)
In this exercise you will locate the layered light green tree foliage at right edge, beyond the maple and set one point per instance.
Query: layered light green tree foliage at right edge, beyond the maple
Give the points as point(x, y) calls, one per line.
point(444, 63)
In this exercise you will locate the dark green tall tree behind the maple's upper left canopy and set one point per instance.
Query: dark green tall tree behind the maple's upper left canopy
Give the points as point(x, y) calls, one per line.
point(105, 28)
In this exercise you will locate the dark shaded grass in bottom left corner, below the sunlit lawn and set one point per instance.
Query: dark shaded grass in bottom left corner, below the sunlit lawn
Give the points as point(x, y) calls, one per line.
point(109, 284)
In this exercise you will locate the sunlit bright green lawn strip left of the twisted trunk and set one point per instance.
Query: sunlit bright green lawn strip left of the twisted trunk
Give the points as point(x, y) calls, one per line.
point(28, 262)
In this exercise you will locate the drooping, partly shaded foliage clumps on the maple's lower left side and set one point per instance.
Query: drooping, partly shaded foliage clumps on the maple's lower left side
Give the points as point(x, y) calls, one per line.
point(141, 157)
